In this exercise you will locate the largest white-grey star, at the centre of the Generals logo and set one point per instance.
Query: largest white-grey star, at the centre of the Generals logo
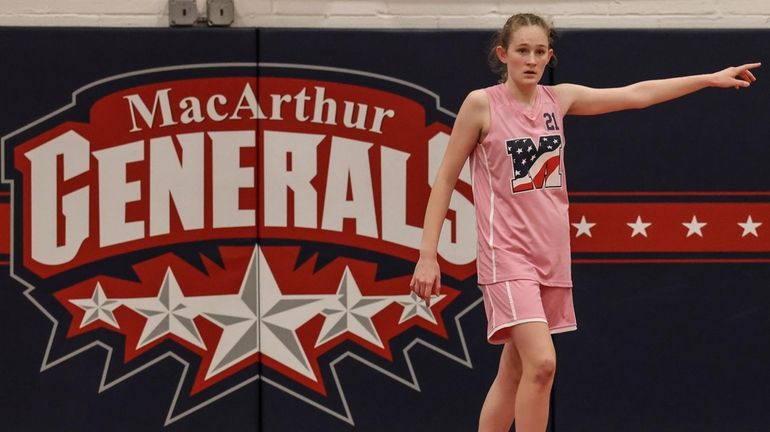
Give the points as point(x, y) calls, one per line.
point(261, 319)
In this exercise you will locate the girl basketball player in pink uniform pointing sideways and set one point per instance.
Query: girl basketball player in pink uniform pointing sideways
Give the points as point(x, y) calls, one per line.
point(513, 134)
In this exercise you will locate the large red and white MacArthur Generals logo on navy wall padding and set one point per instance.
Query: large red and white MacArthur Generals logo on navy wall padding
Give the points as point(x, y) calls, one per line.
point(252, 222)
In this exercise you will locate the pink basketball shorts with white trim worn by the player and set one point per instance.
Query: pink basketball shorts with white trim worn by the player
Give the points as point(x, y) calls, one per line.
point(519, 301)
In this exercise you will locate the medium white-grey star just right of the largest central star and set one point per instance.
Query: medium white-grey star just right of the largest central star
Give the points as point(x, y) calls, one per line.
point(349, 311)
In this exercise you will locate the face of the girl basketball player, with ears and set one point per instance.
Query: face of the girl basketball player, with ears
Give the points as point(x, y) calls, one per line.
point(527, 55)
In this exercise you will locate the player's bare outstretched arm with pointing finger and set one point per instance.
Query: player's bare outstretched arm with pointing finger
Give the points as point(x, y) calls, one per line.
point(581, 100)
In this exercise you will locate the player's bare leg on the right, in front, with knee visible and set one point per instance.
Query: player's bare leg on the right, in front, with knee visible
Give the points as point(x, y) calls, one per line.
point(538, 359)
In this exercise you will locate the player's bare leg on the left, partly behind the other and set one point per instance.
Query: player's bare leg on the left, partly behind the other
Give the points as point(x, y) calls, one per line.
point(499, 407)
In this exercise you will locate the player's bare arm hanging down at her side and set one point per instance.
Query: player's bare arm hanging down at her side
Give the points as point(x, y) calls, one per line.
point(469, 129)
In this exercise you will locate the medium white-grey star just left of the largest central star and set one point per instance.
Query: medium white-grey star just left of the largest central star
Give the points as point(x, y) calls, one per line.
point(168, 313)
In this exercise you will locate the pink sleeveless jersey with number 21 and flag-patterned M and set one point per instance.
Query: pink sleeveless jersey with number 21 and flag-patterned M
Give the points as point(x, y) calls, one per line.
point(520, 192)
